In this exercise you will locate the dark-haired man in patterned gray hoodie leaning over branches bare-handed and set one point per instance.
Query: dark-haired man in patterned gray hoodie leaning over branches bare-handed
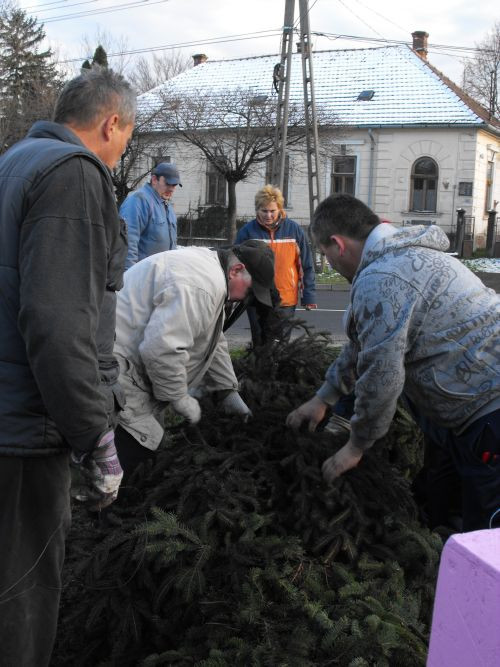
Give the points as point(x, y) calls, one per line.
point(421, 326)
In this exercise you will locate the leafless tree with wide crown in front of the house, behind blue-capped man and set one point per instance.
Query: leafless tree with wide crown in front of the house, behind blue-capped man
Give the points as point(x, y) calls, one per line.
point(233, 129)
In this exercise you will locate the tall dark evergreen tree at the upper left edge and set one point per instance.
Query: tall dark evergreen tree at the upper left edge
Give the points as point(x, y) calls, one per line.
point(29, 82)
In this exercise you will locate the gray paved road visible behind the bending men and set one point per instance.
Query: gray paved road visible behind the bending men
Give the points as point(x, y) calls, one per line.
point(328, 317)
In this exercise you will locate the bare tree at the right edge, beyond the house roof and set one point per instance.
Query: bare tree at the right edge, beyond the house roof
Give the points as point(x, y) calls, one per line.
point(481, 73)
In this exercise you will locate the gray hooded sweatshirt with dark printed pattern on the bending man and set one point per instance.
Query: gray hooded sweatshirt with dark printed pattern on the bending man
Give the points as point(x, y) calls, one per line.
point(419, 323)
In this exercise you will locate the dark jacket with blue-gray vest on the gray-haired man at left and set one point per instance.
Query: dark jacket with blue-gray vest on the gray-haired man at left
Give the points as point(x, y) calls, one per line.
point(62, 252)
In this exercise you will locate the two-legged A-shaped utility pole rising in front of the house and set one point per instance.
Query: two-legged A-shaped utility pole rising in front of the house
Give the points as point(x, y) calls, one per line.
point(282, 76)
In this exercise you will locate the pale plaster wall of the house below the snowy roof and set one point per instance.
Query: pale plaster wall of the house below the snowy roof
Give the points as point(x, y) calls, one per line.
point(383, 178)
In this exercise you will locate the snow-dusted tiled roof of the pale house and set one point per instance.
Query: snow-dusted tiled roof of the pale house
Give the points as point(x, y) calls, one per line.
point(407, 90)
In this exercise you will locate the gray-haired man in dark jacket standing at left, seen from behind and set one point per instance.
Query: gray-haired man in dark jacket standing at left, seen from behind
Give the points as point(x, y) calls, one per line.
point(62, 252)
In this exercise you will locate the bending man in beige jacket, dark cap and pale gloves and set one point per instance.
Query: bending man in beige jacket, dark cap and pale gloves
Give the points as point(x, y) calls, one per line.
point(169, 337)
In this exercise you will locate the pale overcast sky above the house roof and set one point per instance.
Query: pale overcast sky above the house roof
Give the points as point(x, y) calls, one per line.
point(149, 24)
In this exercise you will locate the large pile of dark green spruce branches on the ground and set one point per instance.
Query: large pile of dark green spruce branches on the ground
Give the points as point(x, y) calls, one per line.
point(230, 550)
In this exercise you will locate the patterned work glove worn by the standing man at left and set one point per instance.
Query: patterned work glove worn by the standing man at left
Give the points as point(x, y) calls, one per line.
point(98, 474)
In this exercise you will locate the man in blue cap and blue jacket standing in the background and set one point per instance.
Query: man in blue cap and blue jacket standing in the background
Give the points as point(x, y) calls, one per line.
point(149, 214)
